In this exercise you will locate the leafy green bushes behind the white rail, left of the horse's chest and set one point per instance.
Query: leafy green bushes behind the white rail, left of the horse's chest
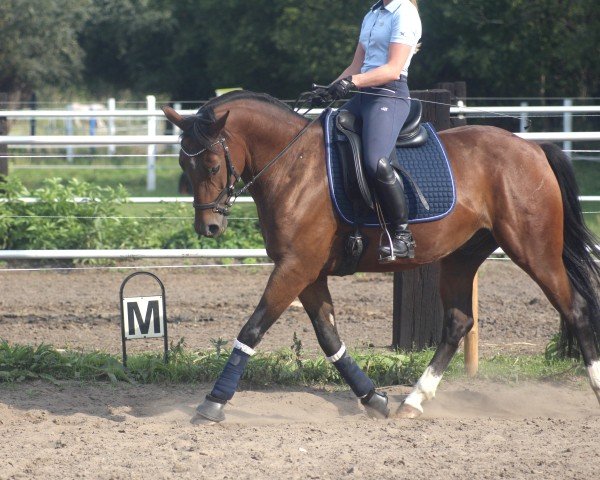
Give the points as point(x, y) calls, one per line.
point(57, 222)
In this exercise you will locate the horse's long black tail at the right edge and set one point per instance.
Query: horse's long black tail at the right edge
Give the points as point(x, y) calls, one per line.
point(581, 249)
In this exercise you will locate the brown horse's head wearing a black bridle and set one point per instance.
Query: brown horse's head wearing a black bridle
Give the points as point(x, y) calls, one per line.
point(205, 158)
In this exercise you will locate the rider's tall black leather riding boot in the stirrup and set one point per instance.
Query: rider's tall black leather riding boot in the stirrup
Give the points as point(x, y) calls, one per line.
point(390, 191)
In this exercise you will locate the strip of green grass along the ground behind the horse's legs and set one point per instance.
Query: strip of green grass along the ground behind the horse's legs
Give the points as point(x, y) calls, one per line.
point(283, 367)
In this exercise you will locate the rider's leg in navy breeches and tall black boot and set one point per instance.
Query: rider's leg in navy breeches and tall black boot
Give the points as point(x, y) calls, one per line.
point(383, 118)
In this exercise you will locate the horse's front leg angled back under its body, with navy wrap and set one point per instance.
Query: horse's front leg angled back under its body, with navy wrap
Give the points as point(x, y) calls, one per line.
point(316, 300)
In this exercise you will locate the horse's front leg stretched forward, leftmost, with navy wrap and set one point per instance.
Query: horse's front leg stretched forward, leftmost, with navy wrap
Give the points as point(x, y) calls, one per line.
point(287, 280)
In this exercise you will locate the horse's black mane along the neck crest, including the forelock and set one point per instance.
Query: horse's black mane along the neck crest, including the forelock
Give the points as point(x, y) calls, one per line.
point(197, 126)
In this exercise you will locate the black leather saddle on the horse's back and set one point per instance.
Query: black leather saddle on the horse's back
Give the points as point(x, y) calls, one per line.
point(412, 135)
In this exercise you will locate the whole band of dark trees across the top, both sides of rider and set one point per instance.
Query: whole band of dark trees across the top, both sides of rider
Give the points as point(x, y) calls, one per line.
point(186, 49)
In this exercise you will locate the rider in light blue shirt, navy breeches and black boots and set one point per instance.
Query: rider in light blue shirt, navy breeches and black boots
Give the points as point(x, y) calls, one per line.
point(389, 37)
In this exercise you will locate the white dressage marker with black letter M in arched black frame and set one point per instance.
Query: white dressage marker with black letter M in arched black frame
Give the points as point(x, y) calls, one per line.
point(143, 316)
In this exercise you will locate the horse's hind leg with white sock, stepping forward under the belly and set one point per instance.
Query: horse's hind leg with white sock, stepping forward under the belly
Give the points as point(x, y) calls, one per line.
point(456, 288)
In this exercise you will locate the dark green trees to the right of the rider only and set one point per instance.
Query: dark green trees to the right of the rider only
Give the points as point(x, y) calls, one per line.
point(512, 47)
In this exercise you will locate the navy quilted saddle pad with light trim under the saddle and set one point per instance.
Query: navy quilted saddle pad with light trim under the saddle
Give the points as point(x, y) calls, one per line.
point(428, 165)
